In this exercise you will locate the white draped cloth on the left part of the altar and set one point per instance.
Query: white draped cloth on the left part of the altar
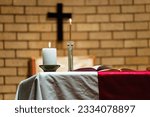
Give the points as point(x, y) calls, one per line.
point(59, 86)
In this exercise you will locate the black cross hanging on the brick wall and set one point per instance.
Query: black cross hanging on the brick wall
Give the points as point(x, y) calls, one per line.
point(60, 16)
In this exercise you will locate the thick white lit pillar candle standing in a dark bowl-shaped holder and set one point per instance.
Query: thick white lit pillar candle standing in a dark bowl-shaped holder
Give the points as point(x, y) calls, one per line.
point(49, 55)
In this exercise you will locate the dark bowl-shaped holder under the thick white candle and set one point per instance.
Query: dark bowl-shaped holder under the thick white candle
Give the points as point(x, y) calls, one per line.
point(49, 68)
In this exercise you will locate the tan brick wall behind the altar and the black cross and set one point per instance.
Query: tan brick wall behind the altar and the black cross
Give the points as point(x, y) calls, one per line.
point(117, 32)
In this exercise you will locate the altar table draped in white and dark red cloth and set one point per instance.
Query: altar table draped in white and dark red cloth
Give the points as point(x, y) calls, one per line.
point(91, 85)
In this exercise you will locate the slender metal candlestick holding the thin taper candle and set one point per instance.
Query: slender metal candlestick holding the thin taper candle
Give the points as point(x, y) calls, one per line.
point(70, 55)
